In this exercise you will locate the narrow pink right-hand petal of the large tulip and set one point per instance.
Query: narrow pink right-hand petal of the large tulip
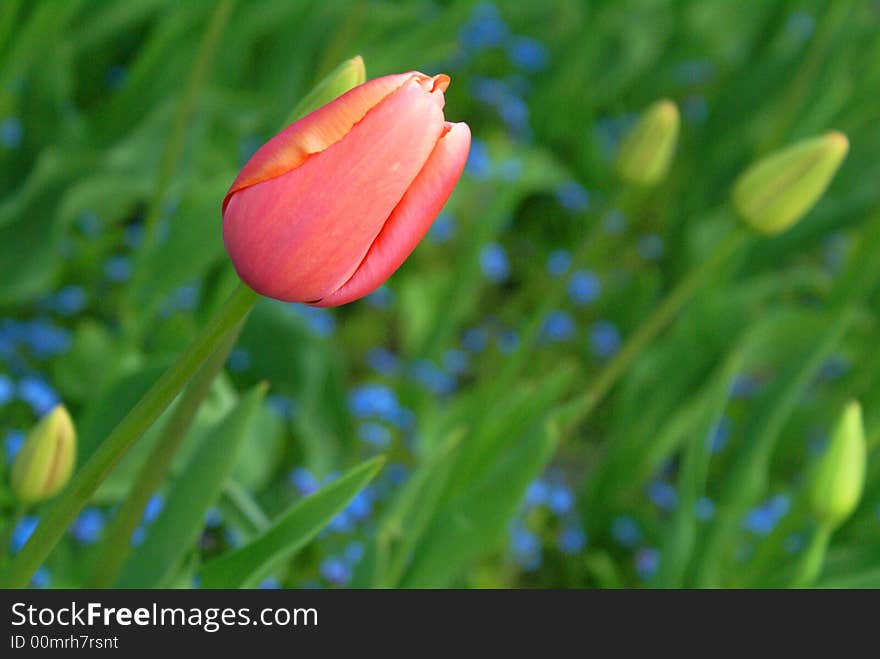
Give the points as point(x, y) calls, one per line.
point(411, 219)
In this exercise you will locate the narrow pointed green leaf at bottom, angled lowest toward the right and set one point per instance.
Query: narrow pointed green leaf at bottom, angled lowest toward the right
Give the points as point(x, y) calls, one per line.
point(290, 532)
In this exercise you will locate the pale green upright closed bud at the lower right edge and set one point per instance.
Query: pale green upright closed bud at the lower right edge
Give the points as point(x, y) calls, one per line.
point(840, 475)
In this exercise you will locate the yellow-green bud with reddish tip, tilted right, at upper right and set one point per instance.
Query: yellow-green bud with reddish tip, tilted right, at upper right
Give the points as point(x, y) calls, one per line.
point(780, 189)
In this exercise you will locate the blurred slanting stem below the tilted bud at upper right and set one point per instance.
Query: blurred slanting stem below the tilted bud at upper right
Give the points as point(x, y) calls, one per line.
point(574, 412)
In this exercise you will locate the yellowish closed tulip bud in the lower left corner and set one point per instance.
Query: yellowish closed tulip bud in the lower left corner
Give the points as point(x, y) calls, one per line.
point(45, 462)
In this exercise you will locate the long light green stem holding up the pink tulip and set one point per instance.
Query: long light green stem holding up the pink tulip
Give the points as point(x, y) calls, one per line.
point(125, 434)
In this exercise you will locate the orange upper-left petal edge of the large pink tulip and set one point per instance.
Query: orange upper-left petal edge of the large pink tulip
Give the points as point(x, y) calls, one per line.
point(322, 128)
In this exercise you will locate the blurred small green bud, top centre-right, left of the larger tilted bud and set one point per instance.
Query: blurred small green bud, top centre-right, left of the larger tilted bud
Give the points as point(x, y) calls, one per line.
point(646, 152)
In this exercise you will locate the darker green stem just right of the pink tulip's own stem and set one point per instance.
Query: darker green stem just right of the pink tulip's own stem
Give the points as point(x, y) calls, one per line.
point(116, 545)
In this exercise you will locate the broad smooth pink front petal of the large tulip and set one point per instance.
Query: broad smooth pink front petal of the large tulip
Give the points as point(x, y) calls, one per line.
point(301, 235)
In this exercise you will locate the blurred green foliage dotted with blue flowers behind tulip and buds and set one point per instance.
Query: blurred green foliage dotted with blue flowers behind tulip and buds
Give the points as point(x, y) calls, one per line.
point(123, 123)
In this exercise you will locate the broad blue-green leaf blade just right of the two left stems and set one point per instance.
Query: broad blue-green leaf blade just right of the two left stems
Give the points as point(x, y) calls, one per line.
point(178, 526)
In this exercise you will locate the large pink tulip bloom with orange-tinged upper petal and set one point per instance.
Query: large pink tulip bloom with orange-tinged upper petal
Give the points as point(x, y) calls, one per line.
point(329, 208)
